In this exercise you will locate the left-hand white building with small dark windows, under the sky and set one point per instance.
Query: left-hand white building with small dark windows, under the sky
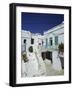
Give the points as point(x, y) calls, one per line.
point(30, 39)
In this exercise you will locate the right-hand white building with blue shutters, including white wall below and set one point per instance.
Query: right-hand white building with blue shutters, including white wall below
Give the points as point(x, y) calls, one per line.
point(51, 40)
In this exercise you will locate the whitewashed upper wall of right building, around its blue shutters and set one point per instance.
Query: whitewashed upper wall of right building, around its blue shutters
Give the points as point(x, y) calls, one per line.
point(56, 31)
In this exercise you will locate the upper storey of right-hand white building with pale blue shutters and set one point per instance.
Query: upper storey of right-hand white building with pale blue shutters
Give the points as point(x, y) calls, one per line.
point(53, 37)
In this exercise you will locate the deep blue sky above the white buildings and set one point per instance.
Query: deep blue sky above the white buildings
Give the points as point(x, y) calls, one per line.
point(40, 22)
